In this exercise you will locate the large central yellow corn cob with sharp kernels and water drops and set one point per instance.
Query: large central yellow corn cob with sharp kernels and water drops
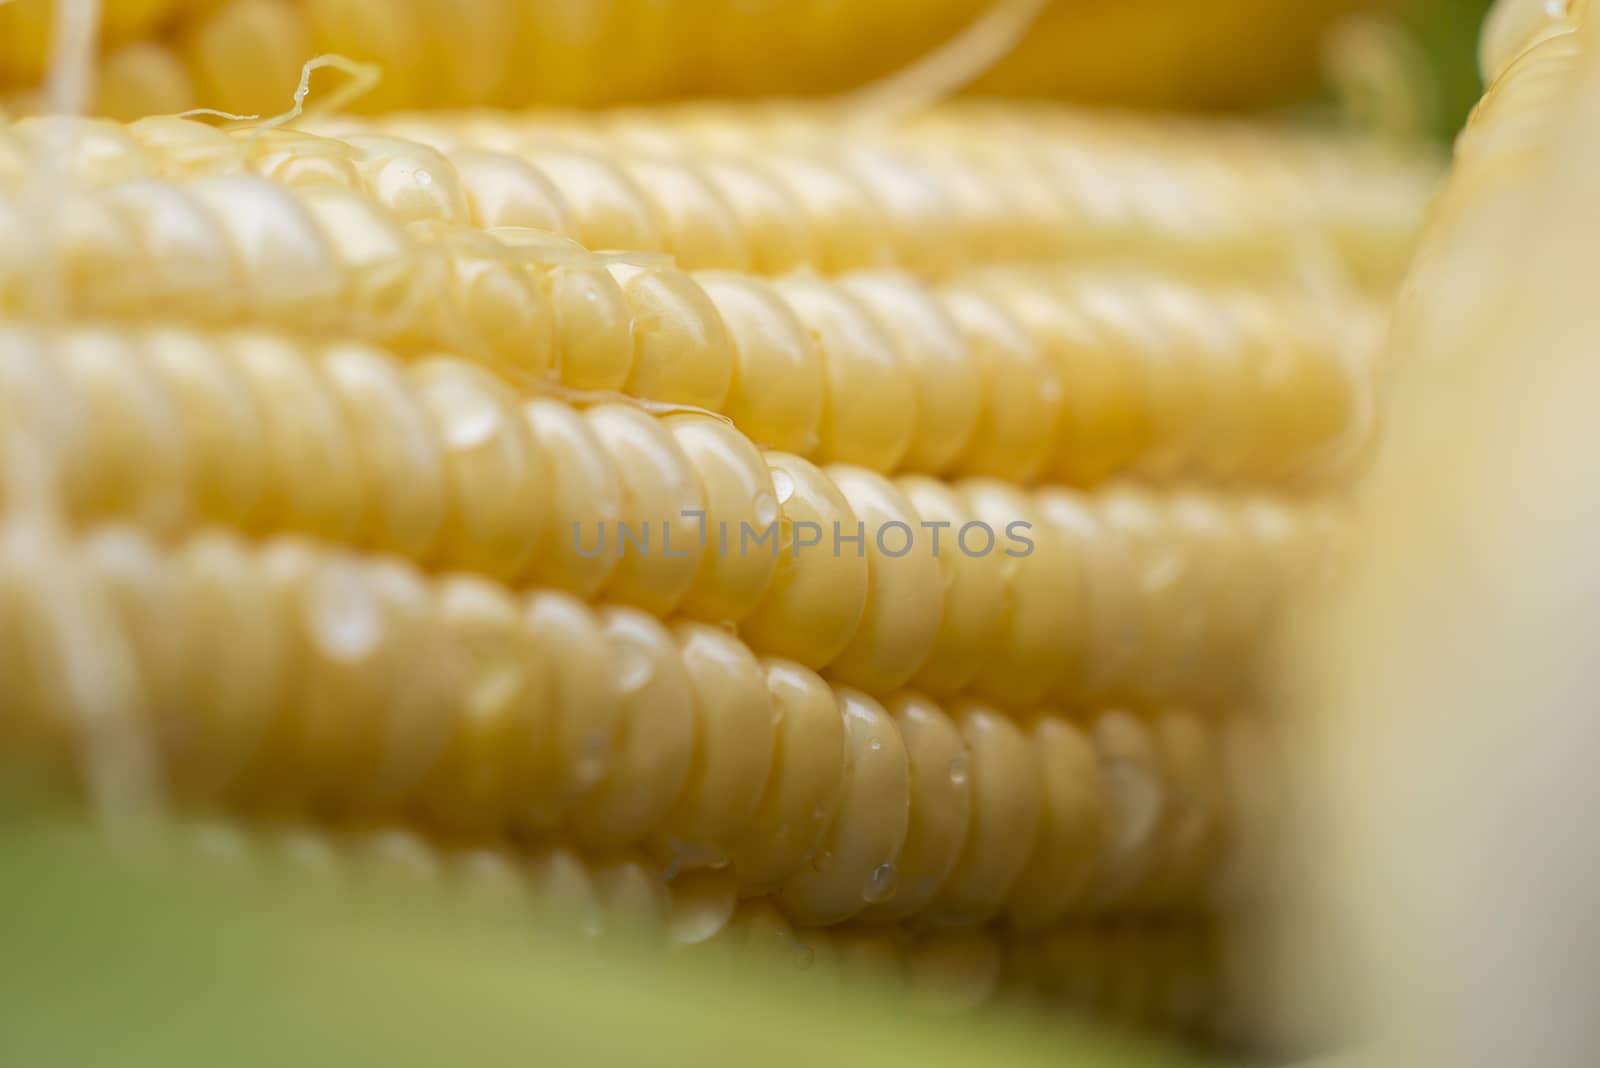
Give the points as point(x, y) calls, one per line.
point(839, 540)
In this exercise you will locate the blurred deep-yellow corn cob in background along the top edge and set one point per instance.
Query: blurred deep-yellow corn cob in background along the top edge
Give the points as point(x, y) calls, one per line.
point(246, 55)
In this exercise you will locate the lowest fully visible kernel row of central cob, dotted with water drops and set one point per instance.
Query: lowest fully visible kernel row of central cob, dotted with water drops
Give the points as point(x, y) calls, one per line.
point(297, 679)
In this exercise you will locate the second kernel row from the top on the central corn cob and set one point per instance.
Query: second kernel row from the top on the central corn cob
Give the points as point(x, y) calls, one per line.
point(1014, 375)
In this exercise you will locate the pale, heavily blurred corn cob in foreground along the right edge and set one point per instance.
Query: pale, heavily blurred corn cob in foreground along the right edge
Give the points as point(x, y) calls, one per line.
point(1454, 682)
